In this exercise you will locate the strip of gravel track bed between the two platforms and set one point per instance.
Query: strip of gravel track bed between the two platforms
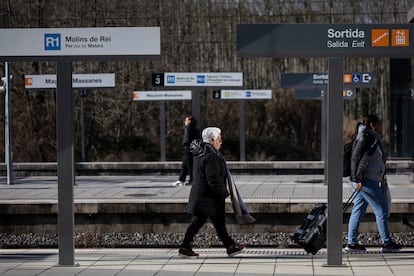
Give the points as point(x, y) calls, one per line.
point(165, 240)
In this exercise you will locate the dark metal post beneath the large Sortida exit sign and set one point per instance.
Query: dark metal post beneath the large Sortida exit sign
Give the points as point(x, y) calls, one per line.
point(333, 174)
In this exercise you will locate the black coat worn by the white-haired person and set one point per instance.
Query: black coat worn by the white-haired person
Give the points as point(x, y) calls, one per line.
point(209, 187)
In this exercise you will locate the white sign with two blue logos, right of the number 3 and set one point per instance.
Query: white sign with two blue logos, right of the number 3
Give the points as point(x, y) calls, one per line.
point(203, 79)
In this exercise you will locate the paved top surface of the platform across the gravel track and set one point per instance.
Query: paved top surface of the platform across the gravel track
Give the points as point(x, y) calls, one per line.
point(263, 188)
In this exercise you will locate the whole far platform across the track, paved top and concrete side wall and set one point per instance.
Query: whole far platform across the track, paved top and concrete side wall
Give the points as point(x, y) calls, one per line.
point(151, 204)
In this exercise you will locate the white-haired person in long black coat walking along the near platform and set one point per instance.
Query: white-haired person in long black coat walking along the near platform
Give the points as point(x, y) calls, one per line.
point(208, 193)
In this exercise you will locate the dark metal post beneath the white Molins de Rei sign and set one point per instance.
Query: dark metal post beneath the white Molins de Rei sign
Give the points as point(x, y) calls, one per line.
point(65, 163)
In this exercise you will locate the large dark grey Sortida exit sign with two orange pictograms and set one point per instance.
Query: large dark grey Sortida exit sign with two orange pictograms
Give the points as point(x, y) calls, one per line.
point(325, 40)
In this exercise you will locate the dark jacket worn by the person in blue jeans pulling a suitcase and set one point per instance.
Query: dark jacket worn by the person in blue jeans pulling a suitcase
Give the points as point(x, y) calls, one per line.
point(368, 159)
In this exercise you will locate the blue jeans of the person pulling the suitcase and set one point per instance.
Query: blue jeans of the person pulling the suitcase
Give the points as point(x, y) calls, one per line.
point(371, 194)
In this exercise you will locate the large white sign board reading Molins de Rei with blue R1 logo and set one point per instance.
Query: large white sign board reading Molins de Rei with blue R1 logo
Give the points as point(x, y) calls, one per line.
point(111, 41)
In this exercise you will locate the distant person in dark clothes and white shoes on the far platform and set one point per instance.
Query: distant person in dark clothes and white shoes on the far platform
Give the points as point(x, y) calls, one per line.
point(191, 132)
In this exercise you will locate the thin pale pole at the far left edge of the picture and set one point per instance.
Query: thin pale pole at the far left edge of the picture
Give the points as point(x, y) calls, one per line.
point(7, 130)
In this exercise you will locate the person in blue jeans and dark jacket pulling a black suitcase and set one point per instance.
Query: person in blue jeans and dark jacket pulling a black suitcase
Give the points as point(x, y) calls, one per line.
point(367, 172)
